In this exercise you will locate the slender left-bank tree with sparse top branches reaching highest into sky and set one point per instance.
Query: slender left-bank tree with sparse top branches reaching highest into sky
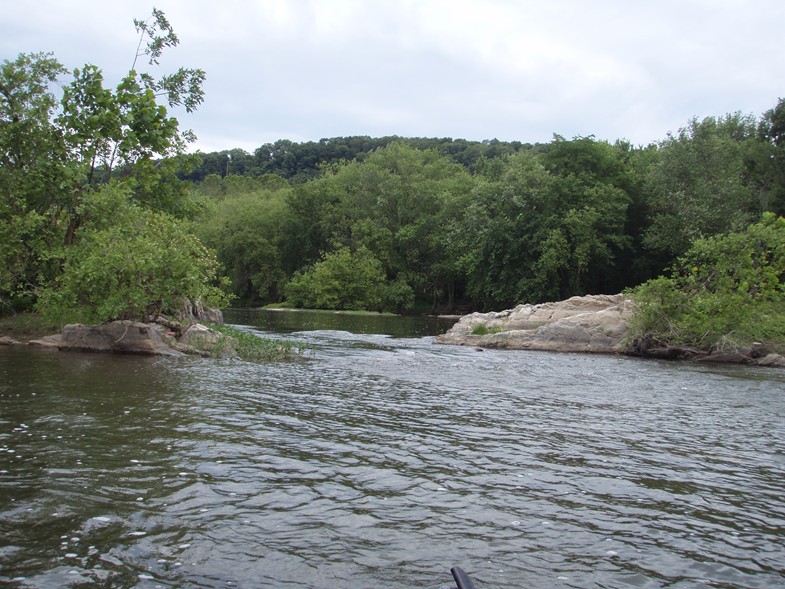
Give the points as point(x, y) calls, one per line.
point(127, 128)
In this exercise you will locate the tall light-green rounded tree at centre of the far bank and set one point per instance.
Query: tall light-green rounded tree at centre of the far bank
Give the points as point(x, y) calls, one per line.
point(394, 203)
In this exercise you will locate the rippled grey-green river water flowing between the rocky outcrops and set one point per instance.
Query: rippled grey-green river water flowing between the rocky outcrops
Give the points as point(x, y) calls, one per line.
point(381, 461)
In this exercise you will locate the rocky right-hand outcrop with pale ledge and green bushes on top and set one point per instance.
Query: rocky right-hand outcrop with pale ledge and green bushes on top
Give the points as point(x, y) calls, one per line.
point(723, 301)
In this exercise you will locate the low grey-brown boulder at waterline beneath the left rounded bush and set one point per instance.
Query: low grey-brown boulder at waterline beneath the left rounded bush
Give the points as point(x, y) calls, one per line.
point(129, 337)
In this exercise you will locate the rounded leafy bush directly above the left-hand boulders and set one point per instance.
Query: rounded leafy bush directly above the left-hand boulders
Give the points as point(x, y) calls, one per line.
point(137, 267)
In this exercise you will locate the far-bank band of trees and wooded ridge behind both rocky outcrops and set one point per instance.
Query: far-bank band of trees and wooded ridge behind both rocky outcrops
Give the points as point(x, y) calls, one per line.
point(394, 224)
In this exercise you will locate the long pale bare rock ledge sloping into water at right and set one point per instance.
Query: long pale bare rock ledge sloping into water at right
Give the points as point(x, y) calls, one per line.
point(593, 323)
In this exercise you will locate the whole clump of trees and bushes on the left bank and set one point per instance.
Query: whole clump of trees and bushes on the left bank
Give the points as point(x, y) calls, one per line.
point(64, 159)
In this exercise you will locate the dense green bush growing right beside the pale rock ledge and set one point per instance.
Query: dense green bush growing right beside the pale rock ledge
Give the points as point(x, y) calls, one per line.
point(726, 292)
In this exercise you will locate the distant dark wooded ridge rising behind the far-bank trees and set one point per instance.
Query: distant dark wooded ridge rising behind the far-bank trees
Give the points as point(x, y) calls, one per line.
point(300, 162)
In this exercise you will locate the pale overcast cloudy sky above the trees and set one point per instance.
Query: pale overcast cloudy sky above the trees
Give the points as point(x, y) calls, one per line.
point(474, 69)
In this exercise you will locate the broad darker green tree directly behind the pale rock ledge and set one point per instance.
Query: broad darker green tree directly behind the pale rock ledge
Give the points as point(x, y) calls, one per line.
point(546, 226)
